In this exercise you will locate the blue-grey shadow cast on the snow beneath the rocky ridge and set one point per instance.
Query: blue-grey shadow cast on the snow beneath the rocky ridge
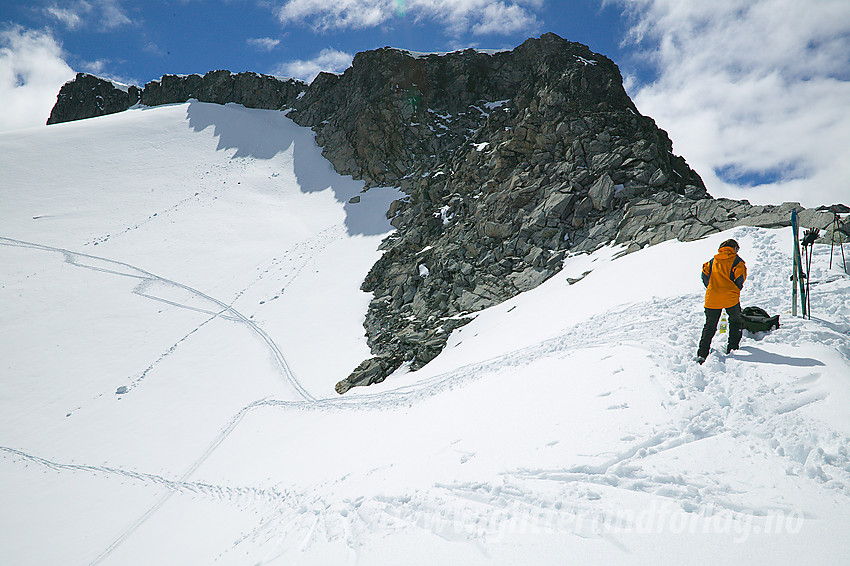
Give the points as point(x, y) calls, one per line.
point(263, 134)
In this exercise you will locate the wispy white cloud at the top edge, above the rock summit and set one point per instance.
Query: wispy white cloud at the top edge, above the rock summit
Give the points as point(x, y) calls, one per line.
point(481, 17)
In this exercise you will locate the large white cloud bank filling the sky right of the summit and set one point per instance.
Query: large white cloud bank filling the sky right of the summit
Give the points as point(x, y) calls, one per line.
point(754, 93)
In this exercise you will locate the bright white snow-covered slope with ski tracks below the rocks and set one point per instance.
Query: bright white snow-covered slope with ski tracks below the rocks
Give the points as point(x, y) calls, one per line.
point(180, 292)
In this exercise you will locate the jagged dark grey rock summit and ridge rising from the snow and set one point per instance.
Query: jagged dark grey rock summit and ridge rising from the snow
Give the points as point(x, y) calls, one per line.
point(510, 160)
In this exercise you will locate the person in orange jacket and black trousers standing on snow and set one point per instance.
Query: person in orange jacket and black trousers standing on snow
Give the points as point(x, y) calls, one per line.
point(723, 277)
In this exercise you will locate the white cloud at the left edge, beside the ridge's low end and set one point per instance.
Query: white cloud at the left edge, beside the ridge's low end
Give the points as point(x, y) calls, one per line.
point(32, 70)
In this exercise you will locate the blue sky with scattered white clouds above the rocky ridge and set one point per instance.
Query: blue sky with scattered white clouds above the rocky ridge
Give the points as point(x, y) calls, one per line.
point(755, 94)
